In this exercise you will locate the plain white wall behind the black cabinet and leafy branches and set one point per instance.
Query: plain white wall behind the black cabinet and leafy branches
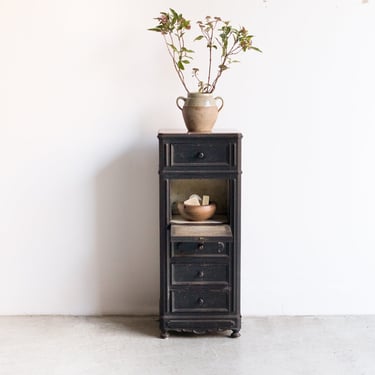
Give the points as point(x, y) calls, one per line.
point(84, 87)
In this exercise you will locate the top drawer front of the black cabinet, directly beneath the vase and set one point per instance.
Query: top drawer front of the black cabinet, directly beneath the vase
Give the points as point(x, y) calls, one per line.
point(202, 154)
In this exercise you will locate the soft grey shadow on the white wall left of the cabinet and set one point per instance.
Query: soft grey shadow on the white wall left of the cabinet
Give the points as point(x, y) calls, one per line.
point(127, 232)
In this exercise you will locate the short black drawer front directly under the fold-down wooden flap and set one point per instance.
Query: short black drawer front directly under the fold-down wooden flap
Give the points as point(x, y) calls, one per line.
point(218, 249)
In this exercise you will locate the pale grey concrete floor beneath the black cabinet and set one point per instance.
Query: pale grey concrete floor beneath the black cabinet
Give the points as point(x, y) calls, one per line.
point(127, 346)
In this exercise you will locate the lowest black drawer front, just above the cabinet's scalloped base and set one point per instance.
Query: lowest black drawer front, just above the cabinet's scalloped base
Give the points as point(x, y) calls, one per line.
point(192, 300)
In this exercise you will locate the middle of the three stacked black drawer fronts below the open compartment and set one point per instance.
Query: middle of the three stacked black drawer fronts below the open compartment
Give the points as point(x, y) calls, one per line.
point(183, 273)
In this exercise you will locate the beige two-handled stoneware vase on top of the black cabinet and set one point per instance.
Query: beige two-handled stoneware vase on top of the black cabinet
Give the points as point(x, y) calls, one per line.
point(199, 111)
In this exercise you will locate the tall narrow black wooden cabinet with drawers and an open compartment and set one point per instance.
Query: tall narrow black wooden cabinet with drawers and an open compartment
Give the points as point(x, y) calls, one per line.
point(200, 261)
